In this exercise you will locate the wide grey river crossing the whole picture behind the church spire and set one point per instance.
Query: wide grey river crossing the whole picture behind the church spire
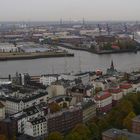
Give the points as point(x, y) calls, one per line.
point(82, 61)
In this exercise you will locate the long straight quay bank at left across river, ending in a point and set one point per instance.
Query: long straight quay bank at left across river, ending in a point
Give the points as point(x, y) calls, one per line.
point(36, 55)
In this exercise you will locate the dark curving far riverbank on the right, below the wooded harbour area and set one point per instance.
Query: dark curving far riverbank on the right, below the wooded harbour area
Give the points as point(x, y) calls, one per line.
point(69, 46)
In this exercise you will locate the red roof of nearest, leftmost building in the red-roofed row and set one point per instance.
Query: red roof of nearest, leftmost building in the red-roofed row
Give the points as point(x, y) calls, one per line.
point(103, 95)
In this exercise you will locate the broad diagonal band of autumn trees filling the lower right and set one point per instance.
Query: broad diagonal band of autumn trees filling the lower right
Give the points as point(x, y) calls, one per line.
point(119, 117)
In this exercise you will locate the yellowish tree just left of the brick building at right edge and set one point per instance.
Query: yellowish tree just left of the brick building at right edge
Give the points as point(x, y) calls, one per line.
point(127, 122)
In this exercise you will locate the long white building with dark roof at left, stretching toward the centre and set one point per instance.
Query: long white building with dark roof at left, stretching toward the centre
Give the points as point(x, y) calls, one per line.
point(17, 101)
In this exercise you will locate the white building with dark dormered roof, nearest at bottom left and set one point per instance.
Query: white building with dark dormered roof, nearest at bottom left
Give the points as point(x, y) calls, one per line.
point(36, 127)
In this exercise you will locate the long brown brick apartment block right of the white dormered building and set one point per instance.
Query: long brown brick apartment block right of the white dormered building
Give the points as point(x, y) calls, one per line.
point(64, 121)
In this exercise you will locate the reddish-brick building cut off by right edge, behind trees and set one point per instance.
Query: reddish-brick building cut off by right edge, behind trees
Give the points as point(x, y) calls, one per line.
point(136, 125)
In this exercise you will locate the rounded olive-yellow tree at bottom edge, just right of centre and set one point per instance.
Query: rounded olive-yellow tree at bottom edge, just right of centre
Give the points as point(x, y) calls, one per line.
point(82, 130)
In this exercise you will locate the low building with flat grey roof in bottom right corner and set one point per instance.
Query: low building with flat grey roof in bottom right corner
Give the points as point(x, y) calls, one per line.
point(114, 134)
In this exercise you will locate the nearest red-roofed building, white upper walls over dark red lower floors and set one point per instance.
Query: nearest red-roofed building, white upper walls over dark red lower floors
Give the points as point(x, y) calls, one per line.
point(104, 101)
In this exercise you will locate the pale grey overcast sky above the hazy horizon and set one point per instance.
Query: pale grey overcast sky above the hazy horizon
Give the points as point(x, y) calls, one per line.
point(46, 10)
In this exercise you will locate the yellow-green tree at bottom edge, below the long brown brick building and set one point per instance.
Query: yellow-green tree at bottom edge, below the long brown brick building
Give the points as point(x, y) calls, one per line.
point(55, 136)
